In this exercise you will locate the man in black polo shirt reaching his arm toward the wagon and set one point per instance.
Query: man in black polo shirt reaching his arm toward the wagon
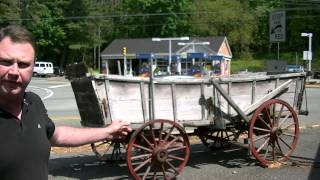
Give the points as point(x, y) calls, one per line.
point(26, 131)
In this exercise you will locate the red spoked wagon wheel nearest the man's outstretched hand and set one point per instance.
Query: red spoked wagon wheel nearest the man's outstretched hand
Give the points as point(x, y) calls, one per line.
point(158, 150)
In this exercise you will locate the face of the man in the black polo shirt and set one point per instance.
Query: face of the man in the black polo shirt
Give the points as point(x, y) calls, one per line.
point(16, 66)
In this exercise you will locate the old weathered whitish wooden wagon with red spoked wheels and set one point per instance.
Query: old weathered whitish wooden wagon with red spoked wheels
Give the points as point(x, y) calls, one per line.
point(163, 110)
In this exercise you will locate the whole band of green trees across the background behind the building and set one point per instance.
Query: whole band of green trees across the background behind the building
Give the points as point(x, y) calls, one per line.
point(70, 31)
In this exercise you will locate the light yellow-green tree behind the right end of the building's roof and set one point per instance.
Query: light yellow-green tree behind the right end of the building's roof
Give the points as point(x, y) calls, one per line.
point(225, 18)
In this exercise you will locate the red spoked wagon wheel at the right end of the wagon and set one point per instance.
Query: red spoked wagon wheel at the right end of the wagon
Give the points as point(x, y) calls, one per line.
point(273, 133)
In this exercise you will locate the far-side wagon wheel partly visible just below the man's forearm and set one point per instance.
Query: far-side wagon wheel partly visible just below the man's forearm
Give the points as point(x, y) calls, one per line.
point(103, 149)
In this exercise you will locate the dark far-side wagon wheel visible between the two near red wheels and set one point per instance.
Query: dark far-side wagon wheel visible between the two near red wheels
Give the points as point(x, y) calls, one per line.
point(217, 139)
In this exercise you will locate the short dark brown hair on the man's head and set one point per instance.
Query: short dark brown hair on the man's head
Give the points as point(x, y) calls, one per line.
point(18, 34)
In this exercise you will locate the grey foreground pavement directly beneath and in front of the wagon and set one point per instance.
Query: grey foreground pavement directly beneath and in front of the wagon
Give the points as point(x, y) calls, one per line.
point(231, 164)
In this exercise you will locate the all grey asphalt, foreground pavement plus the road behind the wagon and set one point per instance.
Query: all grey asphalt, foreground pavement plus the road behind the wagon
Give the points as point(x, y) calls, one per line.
point(233, 163)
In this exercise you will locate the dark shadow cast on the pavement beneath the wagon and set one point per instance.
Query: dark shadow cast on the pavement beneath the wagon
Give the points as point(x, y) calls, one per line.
point(88, 167)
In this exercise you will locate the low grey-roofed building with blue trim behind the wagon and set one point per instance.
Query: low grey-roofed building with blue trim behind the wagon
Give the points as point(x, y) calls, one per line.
point(211, 52)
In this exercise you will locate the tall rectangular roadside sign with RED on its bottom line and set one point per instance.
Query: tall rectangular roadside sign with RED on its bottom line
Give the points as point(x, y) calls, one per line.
point(277, 26)
